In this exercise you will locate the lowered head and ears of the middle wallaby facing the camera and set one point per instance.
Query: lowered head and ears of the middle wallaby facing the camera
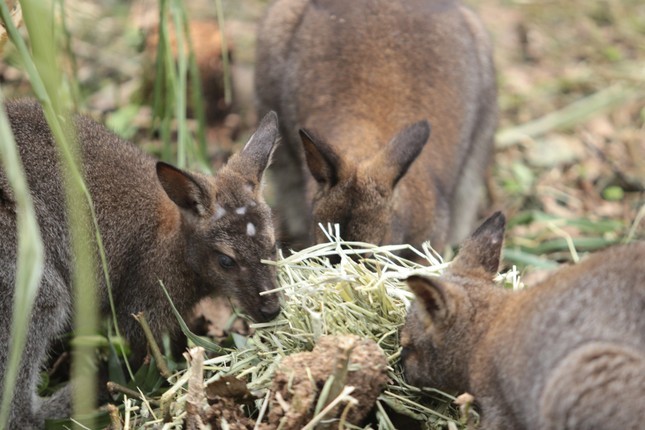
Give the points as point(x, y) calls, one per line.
point(359, 194)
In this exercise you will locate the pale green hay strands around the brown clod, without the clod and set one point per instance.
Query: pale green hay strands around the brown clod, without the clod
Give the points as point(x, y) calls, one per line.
point(364, 295)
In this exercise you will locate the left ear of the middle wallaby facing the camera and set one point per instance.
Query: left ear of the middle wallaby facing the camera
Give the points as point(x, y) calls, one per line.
point(322, 160)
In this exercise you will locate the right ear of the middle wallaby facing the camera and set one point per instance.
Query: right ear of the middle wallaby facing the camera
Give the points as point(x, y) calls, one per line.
point(393, 161)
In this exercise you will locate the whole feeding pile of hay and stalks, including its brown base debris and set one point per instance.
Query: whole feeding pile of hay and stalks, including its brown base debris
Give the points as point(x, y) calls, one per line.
point(364, 295)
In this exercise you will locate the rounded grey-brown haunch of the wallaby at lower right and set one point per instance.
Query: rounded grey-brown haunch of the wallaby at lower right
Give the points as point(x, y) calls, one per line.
point(599, 386)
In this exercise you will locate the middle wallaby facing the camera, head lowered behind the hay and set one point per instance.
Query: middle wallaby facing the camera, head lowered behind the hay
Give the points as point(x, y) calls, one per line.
point(356, 84)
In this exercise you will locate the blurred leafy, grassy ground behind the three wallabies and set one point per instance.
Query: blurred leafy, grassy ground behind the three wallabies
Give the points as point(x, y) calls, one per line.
point(570, 163)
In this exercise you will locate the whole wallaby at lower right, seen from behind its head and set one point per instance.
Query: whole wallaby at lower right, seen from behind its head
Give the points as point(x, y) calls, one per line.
point(567, 353)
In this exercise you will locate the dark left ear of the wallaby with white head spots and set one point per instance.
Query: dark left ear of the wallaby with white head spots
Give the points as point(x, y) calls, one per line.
point(182, 188)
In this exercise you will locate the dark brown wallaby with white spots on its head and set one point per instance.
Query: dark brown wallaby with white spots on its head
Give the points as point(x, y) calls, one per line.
point(198, 234)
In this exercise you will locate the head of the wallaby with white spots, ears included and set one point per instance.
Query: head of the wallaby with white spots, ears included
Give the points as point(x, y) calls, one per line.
point(227, 226)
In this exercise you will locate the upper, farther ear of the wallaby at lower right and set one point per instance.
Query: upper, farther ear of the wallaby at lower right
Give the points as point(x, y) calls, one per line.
point(484, 248)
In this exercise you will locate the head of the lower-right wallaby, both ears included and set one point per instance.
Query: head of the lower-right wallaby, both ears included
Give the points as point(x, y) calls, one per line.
point(442, 324)
